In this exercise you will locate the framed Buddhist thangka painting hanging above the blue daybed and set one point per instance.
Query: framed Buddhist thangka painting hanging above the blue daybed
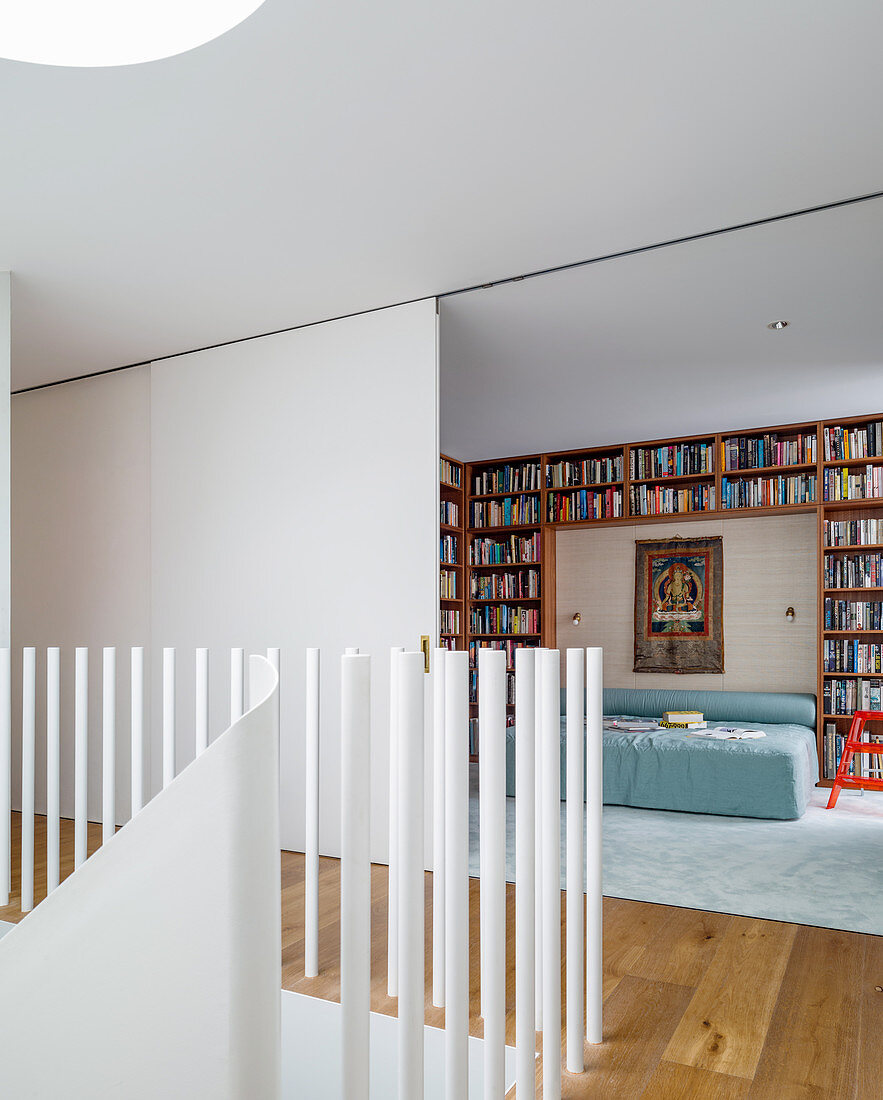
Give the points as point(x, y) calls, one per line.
point(679, 606)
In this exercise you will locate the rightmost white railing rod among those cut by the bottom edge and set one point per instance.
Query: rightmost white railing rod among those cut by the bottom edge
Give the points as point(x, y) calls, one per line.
point(550, 735)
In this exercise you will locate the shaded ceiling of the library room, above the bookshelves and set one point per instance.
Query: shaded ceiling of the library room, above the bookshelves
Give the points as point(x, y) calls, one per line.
point(672, 342)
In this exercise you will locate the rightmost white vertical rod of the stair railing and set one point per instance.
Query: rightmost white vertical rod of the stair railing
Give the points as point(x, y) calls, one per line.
point(594, 815)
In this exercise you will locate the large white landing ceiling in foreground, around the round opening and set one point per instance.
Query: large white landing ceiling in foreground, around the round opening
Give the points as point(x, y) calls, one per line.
point(324, 159)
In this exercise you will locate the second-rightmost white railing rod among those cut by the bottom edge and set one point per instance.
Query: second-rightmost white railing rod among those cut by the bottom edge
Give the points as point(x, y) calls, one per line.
point(525, 875)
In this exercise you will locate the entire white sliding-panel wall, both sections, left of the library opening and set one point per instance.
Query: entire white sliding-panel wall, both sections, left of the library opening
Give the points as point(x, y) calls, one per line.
point(145, 501)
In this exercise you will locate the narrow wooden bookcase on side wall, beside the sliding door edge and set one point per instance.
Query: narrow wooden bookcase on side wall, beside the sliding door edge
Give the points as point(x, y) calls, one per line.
point(452, 545)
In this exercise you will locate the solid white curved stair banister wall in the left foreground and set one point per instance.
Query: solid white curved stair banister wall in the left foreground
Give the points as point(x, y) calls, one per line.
point(179, 1014)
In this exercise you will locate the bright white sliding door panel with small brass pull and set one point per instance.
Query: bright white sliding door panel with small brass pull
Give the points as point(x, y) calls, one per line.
point(315, 454)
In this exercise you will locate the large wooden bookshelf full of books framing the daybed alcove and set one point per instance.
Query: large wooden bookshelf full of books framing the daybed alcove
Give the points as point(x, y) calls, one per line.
point(765, 471)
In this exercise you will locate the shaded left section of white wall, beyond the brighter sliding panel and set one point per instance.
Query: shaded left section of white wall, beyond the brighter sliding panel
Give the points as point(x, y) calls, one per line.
point(81, 554)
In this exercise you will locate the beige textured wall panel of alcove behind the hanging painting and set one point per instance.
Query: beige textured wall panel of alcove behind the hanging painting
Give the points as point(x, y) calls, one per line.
point(769, 565)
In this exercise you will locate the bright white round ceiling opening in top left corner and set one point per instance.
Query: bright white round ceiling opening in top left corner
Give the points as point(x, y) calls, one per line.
point(97, 34)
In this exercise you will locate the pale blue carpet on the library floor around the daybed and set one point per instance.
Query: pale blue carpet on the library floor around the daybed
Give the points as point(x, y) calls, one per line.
point(824, 870)
